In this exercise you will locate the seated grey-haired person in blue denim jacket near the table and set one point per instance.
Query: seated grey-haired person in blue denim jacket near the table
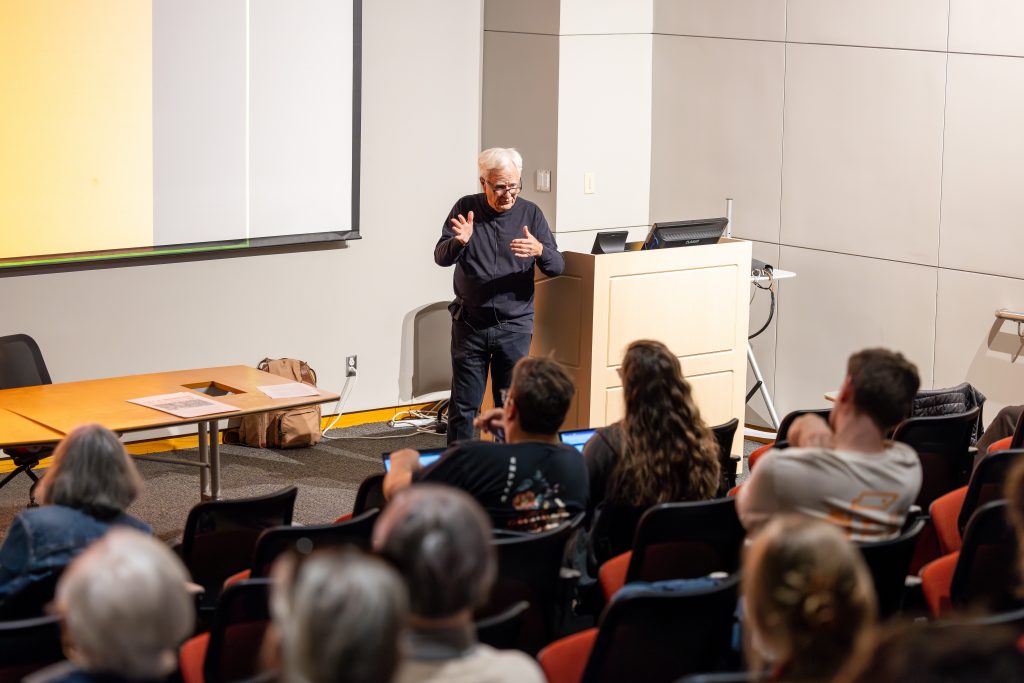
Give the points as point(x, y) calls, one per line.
point(83, 494)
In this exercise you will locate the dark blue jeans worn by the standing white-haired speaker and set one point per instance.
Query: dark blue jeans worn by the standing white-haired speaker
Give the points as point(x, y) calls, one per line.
point(474, 352)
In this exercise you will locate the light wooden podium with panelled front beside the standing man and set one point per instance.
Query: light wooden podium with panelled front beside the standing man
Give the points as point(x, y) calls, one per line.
point(694, 300)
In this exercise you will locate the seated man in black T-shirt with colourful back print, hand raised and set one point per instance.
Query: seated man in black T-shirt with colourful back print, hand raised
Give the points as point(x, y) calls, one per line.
point(531, 484)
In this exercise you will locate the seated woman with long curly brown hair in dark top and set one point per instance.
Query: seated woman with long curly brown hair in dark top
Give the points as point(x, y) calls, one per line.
point(662, 451)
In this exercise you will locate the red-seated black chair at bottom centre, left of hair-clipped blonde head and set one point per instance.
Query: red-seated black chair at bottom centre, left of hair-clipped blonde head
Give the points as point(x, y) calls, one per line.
point(651, 636)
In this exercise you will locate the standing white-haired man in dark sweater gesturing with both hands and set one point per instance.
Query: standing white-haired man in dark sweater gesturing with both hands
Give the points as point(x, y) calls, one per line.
point(494, 239)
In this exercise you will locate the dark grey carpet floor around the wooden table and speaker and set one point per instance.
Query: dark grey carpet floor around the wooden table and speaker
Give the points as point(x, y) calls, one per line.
point(328, 477)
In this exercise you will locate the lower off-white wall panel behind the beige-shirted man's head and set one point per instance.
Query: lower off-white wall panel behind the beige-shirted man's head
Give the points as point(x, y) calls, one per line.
point(839, 305)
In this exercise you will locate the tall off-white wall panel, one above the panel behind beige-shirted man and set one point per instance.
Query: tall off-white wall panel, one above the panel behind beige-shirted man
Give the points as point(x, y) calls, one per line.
point(864, 151)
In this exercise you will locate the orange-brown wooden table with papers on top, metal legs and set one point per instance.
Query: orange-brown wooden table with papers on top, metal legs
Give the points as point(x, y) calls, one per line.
point(51, 411)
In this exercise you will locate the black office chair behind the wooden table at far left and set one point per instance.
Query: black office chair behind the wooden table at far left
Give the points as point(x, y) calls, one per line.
point(22, 365)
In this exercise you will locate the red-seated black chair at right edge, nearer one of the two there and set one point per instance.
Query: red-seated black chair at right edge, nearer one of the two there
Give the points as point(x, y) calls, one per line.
point(983, 575)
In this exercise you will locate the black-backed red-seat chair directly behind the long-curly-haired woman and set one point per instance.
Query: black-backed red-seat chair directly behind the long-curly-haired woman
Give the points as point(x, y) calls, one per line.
point(678, 541)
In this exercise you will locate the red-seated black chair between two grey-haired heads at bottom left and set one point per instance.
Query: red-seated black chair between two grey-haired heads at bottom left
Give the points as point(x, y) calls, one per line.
point(231, 651)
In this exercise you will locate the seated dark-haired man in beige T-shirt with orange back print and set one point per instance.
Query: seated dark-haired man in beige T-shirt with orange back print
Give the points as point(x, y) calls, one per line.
point(845, 472)
